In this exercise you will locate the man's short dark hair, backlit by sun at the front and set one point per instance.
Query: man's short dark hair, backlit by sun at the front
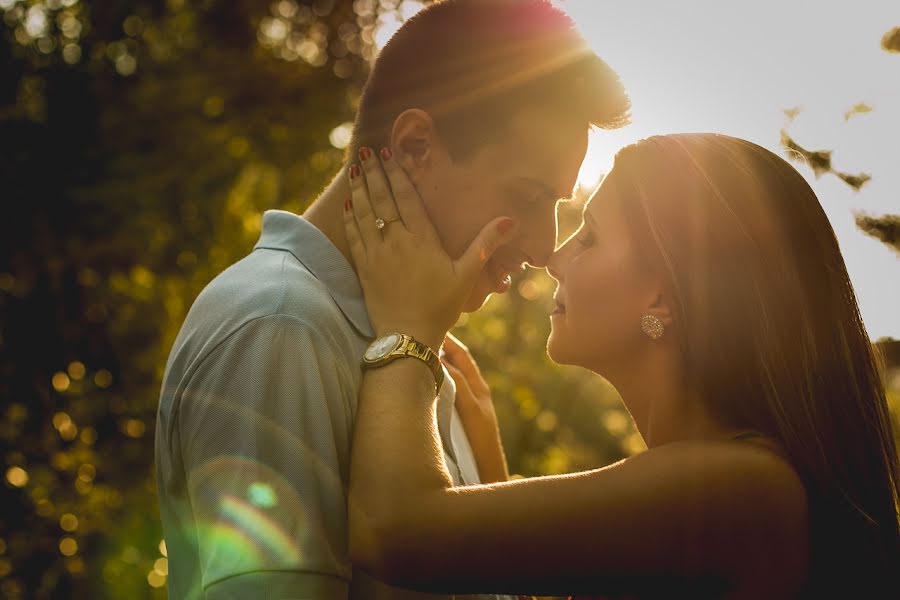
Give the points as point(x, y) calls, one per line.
point(471, 63)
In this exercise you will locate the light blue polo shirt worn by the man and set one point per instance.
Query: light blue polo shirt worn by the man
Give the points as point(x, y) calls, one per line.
point(255, 423)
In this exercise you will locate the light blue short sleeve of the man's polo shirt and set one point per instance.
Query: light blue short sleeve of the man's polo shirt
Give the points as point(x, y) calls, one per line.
point(264, 428)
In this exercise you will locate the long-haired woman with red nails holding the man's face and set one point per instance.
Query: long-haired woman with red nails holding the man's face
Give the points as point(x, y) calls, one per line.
point(707, 285)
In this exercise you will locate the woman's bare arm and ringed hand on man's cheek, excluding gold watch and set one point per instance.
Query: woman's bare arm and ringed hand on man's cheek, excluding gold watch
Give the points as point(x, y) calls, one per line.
point(679, 511)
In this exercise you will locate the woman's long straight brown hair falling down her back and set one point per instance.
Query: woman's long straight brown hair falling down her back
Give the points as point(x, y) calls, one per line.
point(771, 335)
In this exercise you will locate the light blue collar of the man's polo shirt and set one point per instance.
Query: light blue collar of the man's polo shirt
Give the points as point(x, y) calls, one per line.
point(282, 230)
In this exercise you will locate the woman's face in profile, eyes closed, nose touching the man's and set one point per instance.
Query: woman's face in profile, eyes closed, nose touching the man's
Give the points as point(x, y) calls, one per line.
point(603, 291)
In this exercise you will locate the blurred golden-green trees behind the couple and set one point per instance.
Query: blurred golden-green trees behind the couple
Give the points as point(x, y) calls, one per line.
point(141, 141)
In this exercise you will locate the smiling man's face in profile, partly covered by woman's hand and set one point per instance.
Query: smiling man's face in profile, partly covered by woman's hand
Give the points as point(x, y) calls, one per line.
point(521, 176)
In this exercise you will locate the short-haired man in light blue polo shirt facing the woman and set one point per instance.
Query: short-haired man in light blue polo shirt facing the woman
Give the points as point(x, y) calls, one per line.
point(487, 105)
